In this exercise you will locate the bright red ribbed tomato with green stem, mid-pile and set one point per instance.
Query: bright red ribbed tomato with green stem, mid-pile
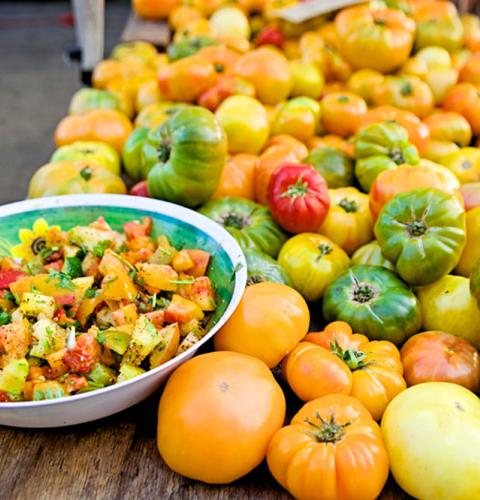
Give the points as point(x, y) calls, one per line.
point(298, 197)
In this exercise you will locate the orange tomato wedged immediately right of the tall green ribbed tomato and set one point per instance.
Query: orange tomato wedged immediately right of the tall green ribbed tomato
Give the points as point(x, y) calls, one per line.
point(238, 177)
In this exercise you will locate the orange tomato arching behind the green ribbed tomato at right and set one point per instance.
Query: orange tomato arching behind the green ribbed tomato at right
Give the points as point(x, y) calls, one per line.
point(418, 133)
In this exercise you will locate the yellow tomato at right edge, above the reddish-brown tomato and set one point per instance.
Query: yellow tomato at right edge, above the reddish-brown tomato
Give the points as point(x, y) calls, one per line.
point(448, 305)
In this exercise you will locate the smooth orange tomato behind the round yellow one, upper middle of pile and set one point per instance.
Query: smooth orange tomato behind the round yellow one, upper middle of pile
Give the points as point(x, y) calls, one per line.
point(269, 72)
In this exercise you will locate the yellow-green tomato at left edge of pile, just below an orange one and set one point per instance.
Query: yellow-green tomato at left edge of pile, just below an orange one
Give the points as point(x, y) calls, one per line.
point(97, 152)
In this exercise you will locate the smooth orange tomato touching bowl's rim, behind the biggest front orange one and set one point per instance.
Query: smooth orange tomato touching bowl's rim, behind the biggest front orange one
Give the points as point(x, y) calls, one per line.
point(267, 324)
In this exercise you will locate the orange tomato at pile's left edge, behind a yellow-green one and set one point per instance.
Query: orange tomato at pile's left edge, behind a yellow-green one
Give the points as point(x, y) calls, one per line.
point(104, 125)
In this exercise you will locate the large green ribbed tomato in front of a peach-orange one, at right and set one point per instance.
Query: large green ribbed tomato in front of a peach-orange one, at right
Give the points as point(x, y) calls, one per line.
point(423, 233)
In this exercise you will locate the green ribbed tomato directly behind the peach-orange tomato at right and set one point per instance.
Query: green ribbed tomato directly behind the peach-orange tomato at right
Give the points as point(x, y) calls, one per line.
point(379, 147)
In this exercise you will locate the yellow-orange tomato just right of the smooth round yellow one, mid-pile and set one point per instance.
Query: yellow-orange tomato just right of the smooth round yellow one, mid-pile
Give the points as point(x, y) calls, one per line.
point(298, 117)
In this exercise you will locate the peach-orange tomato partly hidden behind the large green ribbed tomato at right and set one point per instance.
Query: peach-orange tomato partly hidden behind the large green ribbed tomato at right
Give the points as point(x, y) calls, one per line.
point(405, 178)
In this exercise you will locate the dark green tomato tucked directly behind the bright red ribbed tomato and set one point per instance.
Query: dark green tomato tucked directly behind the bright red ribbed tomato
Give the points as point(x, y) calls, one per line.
point(335, 166)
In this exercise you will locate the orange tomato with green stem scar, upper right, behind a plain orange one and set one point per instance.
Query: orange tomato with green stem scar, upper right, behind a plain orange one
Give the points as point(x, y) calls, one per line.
point(405, 92)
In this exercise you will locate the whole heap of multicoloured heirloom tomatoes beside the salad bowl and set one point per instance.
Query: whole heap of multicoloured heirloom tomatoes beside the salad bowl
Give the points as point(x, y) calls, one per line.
point(342, 153)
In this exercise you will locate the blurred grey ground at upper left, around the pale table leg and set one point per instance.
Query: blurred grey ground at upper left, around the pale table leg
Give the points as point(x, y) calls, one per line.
point(37, 82)
